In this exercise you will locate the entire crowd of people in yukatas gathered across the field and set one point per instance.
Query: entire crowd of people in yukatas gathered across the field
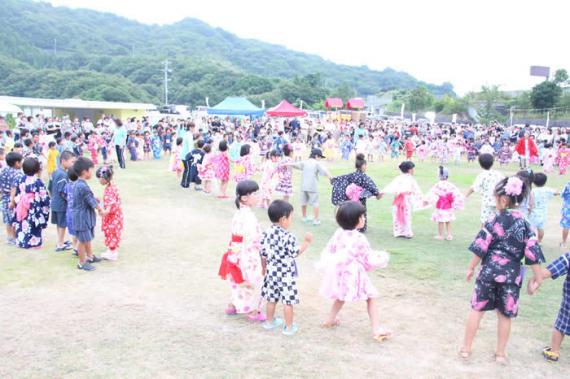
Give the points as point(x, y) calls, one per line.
point(261, 265)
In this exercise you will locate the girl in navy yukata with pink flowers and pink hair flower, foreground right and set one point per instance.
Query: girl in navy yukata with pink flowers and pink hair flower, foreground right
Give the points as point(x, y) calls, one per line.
point(500, 246)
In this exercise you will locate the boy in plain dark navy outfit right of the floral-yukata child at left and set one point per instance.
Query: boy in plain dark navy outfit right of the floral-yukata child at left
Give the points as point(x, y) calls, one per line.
point(59, 200)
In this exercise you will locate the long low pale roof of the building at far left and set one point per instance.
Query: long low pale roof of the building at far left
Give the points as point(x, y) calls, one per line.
point(72, 103)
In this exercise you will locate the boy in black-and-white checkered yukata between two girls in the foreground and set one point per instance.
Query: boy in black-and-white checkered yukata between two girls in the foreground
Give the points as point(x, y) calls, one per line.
point(279, 248)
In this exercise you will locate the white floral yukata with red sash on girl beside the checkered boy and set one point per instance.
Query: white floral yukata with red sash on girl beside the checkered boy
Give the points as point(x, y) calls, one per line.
point(244, 250)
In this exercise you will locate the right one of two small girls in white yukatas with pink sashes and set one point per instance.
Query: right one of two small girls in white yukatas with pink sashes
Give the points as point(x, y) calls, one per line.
point(447, 198)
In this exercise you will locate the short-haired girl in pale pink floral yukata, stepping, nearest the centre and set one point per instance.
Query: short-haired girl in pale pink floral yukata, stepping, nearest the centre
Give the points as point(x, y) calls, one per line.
point(345, 261)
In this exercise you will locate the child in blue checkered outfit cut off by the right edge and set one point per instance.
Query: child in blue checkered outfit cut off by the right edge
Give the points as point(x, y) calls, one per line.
point(559, 267)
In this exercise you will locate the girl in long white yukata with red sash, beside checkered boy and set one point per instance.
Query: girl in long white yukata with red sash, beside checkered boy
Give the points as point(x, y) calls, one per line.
point(241, 264)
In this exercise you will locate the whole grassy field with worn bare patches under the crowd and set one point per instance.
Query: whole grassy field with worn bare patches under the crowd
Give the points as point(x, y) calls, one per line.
point(157, 312)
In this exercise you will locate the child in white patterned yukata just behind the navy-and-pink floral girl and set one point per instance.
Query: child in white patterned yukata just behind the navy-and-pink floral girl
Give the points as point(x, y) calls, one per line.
point(485, 185)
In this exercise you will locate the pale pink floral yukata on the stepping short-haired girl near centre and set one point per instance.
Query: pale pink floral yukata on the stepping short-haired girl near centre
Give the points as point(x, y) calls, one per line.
point(345, 261)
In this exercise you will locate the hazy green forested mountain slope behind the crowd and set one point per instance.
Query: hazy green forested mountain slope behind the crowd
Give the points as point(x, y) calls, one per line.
point(124, 57)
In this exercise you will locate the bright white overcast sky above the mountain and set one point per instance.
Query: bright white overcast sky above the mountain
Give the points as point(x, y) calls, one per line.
point(466, 42)
